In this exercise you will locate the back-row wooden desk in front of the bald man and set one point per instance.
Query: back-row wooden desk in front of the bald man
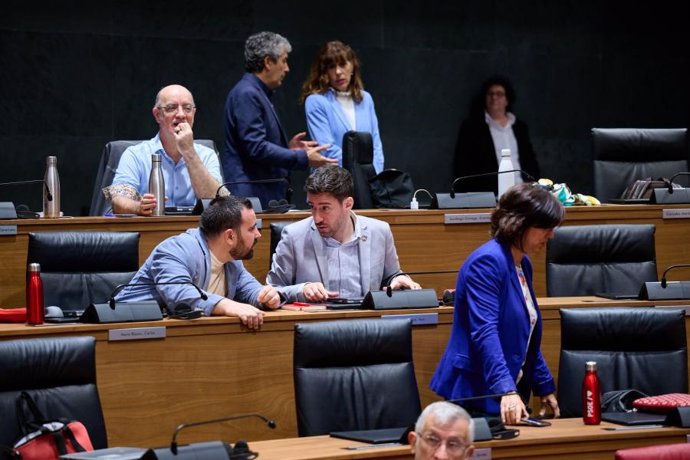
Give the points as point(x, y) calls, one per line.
point(424, 242)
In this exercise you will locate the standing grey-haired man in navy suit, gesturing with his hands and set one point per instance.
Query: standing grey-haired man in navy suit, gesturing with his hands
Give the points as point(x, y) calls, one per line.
point(256, 146)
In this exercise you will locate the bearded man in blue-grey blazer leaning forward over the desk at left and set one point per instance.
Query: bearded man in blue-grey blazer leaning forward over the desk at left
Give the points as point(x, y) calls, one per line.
point(210, 258)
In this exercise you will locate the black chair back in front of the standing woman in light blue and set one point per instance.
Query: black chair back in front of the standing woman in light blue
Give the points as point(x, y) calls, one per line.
point(358, 158)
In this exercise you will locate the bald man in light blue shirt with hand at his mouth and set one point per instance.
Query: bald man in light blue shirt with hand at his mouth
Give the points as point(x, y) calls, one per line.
point(190, 170)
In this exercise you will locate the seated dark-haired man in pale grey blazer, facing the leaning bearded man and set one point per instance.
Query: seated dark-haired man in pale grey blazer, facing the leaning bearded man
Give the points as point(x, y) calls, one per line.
point(335, 253)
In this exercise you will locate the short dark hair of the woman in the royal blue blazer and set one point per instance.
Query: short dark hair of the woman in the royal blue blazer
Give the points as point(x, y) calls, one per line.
point(523, 206)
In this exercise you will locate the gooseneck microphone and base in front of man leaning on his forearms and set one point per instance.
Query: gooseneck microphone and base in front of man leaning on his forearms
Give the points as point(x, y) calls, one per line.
point(146, 310)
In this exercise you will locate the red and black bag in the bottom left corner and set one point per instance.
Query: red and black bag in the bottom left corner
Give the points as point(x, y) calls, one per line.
point(47, 439)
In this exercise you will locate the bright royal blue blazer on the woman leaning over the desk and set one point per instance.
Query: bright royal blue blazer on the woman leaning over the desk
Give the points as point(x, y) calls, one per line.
point(489, 340)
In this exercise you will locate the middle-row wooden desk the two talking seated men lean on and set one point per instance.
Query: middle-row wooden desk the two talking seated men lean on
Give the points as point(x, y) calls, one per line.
point(213, 367)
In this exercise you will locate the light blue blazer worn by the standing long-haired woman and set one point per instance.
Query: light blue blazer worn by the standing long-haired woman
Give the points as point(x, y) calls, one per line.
point(327, 124)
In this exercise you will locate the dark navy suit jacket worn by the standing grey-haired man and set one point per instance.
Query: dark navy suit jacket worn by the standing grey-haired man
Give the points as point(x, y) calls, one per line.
point(256, 146)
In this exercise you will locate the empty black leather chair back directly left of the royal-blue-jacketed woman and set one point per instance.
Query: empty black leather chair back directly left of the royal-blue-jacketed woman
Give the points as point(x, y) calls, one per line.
point(354, 375)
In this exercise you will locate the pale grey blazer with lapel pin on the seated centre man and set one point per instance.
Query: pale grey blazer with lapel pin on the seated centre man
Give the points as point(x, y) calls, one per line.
point(301, 257)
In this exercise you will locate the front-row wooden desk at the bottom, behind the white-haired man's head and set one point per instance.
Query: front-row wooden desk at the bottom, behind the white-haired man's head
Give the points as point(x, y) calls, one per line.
point(566, 439)
